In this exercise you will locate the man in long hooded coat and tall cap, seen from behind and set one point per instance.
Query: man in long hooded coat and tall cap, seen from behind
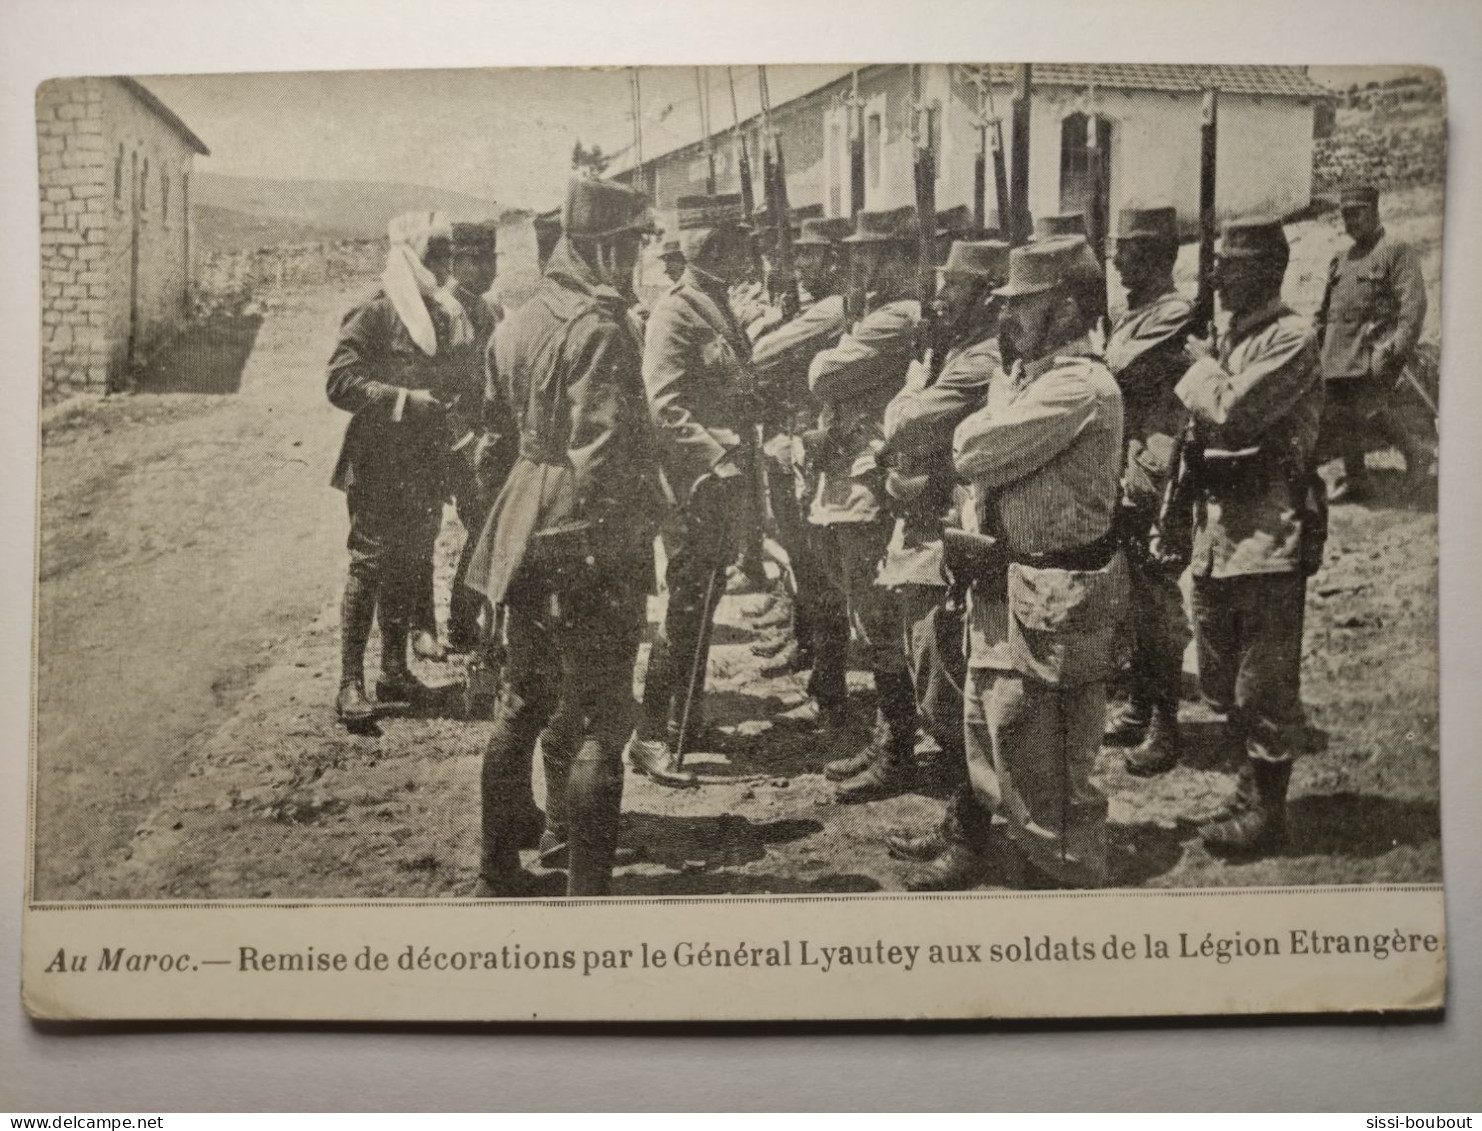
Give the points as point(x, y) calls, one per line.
point(568, 543)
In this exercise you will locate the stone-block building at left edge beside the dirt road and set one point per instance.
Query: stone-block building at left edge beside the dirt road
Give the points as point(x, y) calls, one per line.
point(116, 229)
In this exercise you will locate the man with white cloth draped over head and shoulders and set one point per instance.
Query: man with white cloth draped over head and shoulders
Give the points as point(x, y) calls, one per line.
point(401, 359)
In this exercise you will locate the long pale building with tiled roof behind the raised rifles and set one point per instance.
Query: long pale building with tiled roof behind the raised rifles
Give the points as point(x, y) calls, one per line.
point(1148, 139)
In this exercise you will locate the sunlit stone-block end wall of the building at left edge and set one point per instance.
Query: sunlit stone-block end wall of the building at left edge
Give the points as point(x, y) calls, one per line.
point(75, 230)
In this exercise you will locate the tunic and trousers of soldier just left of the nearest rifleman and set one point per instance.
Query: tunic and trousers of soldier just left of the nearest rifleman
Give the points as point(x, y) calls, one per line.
point(920, 426)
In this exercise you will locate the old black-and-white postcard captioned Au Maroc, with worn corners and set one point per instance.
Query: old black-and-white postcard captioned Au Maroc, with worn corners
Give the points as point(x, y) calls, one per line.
point(739, 543)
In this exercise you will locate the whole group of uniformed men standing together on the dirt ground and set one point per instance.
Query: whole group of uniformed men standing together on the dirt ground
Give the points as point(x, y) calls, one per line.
point(974, 493)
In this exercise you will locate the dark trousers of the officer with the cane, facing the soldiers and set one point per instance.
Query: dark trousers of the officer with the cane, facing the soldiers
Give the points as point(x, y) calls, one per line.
point(699, 543)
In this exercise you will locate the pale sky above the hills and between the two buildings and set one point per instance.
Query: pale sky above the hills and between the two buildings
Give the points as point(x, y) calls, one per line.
point(502, 136)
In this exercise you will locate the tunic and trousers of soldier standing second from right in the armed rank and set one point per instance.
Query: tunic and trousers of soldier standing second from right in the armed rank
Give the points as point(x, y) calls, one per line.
point(1145, 354)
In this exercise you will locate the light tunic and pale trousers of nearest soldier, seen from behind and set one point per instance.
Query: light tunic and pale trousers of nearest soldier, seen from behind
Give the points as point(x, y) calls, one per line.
point(1044, 459)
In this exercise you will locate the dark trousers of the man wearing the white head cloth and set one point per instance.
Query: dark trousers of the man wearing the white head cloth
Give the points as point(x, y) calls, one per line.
point(388, 551)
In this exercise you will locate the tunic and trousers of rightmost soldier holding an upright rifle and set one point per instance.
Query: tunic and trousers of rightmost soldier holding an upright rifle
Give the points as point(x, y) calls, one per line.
point(1256, 523)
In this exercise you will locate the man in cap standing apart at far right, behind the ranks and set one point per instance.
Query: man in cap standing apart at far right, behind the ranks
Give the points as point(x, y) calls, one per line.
point(1369, 327)
